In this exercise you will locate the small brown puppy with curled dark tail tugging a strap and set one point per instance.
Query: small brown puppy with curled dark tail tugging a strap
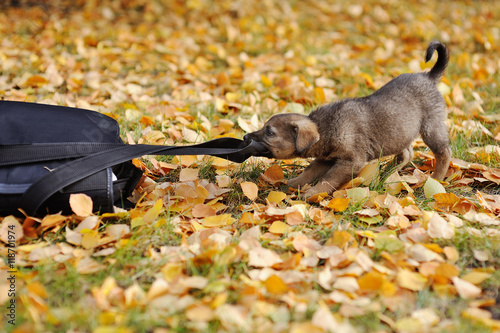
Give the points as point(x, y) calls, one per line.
point(345, 135)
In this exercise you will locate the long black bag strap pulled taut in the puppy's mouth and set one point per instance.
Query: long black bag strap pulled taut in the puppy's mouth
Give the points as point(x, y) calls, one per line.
point(228, 148)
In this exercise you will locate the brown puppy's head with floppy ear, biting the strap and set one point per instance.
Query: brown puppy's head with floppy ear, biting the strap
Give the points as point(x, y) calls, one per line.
point(286, 135)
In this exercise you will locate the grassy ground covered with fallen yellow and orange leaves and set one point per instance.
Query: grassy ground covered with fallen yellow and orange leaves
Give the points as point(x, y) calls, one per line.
point(213, 246)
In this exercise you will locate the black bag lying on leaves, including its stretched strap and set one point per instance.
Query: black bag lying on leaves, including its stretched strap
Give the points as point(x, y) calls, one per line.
point(48, 152)
